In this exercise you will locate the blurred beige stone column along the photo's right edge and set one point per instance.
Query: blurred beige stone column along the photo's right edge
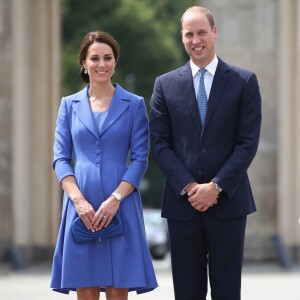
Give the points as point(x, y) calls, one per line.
point(288, 201)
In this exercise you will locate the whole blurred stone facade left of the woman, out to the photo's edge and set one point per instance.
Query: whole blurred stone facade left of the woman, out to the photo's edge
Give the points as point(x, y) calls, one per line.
point(29, 93)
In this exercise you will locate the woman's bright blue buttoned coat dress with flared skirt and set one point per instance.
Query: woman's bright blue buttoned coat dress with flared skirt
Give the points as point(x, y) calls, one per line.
point(99, 161)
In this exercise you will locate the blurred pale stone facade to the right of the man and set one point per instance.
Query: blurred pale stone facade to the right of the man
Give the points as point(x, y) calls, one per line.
point(263, 36)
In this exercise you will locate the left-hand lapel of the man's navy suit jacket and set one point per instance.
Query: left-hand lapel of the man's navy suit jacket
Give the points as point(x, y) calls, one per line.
point(186, 86)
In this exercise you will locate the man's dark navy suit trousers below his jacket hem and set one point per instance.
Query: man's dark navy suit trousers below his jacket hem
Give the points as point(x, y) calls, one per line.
point(207, 246)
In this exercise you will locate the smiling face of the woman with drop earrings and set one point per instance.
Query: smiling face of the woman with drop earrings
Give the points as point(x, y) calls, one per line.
point(100, 63)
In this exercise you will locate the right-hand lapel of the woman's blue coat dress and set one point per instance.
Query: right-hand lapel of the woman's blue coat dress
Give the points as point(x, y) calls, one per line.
point(117, 106)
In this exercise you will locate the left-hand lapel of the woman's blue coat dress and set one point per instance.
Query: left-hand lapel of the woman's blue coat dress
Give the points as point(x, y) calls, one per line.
point(83, 110)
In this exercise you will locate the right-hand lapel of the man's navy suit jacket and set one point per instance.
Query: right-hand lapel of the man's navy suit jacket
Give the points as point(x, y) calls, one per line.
point(216, 91)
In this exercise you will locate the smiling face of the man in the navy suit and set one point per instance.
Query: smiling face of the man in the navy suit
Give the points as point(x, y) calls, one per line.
point(198, 38)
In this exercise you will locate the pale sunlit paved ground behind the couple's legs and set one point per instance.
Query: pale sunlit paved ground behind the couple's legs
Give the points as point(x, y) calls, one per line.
point(264, 282)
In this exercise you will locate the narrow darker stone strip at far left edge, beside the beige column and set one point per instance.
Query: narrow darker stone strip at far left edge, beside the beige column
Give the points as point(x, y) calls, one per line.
point(5, 128)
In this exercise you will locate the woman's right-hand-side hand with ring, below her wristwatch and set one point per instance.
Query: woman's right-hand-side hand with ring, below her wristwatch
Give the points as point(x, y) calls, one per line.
point(105, 213)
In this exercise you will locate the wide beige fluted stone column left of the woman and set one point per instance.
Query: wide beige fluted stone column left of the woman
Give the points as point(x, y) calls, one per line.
point(35, 97)
